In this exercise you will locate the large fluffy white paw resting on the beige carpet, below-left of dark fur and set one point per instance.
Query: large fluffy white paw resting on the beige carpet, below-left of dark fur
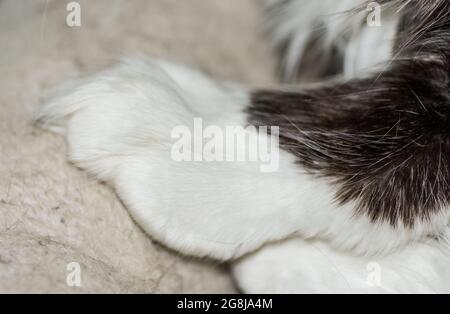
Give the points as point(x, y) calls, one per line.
point(118, 126)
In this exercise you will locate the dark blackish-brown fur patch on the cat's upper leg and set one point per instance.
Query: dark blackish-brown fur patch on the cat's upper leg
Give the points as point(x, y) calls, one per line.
point(385, 140)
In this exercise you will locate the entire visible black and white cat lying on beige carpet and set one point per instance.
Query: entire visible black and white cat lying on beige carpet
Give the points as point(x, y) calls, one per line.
point(365, 161)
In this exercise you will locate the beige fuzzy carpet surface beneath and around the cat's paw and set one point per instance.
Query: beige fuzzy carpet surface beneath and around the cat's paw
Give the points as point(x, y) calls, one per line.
point(52, 214)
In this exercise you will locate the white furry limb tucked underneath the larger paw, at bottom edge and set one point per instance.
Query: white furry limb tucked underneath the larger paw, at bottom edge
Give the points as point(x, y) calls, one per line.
point(299, 266)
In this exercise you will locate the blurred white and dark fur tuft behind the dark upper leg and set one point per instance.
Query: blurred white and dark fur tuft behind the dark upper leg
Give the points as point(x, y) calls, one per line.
point(321, 39)
